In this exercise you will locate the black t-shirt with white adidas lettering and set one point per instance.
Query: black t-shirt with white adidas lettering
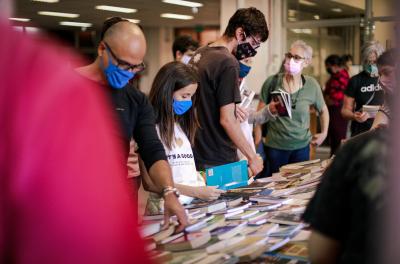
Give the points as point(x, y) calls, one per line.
point(365, 90)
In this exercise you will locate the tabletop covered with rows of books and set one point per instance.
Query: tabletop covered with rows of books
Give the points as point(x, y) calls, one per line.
point(258, 223)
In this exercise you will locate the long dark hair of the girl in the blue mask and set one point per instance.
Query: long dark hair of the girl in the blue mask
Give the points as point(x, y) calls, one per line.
point(170, 78)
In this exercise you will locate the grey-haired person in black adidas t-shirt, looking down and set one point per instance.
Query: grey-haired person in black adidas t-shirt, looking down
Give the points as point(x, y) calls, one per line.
point(363, 89)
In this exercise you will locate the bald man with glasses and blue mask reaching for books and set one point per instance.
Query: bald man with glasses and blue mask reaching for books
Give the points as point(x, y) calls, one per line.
point(120, 57)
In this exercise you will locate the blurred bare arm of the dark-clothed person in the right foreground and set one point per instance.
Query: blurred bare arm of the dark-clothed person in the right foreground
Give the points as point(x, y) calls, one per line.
point(322, 249)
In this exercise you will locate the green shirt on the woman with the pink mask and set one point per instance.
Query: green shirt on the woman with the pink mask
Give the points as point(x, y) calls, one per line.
point(292, 133)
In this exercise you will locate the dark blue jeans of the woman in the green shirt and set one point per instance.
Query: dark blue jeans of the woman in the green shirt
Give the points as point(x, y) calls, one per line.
point(279, 157)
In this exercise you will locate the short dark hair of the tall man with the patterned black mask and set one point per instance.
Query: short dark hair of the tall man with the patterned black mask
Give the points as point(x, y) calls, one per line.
point(251, 20)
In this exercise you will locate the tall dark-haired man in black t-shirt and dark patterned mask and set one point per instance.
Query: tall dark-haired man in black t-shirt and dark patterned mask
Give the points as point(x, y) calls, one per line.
point(220, 135)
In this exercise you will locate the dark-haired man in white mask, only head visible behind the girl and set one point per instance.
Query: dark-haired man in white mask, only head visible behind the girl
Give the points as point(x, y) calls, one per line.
point(184, 48)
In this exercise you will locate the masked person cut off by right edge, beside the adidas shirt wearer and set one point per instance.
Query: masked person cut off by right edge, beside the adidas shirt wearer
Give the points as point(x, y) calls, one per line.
point(387, 64)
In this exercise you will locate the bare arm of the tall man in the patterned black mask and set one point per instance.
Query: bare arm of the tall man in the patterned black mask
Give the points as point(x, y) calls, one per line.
point(232, 127)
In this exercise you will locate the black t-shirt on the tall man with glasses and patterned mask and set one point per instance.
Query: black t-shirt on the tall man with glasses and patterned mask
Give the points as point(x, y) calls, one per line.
point(219, 75)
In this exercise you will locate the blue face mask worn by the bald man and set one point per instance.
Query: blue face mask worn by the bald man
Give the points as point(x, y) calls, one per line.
point(116, 77)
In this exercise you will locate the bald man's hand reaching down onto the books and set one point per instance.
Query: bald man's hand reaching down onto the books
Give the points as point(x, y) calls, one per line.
point(172, 206)
